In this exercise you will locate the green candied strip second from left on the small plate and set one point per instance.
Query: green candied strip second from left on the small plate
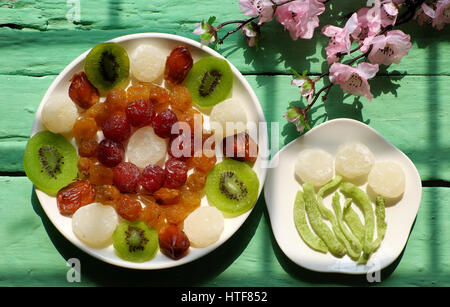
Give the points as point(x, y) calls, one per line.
point(317, 224)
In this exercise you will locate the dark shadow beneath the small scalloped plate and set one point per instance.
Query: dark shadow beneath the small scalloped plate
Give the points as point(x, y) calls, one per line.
point(321, 278)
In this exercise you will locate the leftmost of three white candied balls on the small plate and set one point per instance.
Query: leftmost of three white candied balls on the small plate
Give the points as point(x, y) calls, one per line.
point(315, 166)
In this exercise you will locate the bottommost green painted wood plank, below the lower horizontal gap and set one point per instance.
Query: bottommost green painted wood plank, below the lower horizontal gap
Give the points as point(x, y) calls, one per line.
point(34, 253)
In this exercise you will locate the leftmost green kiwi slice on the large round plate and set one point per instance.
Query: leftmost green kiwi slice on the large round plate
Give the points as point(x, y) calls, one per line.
point(50, 161)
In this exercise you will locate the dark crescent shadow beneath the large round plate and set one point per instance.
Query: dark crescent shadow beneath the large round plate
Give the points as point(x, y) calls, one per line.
point(196, 273)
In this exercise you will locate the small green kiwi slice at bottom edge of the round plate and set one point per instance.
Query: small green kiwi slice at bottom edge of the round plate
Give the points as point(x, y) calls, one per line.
point(135, 241)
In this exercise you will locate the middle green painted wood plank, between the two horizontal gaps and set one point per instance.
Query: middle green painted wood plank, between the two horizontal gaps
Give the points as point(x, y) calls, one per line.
point(411, 112)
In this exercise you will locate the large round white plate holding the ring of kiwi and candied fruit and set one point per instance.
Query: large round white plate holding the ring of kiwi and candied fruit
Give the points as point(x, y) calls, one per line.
point(241, 90)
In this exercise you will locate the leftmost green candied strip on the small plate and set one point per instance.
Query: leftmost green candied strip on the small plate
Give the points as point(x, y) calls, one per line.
point(309, 237)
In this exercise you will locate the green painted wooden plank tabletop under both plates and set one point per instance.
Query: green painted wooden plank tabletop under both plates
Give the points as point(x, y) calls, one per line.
point(410, 109)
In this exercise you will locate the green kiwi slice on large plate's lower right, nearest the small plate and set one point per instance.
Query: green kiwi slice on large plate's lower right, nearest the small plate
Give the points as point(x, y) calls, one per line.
point(232, 186)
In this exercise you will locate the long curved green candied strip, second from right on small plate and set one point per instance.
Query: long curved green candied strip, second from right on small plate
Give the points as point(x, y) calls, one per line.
point(363, 201)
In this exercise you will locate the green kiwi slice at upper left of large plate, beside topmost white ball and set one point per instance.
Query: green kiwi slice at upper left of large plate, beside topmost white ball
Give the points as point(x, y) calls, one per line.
point(107, 66)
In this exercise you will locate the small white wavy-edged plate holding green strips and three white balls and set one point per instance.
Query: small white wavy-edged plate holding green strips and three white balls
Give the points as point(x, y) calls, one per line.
point(281, 188)
